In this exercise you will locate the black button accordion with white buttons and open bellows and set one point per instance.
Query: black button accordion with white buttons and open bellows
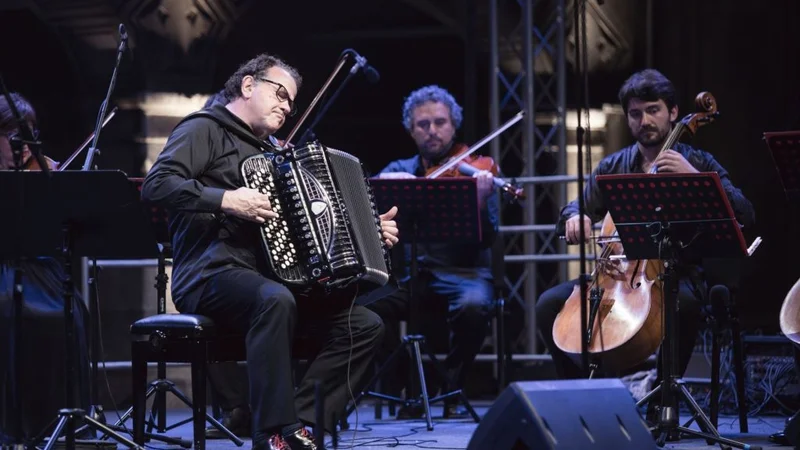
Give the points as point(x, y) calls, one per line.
point(328, 229)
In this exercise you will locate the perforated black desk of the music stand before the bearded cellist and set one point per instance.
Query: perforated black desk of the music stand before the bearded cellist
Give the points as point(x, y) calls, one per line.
point(699, 214)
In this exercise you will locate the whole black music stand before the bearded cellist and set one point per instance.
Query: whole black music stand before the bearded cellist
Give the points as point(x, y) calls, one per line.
point(674, 218)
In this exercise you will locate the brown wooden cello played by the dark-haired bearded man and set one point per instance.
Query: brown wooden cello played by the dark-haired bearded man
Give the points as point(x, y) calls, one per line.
point(626, 314)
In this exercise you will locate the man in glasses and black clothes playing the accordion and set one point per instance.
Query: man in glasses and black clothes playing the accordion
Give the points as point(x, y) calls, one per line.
point(220, 270)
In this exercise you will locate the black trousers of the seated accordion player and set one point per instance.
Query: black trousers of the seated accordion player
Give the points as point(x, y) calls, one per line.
point(341, 339)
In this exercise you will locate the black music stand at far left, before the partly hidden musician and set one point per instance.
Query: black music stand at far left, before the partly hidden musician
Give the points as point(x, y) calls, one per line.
point(73, 214)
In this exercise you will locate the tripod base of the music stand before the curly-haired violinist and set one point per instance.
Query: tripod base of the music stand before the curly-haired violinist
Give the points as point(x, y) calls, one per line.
point(414, 343)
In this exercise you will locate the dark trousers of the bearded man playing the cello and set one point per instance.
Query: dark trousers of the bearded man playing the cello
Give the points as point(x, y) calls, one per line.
point(552, 301)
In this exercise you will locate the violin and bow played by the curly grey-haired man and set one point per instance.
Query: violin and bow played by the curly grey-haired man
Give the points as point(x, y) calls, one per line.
point(461, 160)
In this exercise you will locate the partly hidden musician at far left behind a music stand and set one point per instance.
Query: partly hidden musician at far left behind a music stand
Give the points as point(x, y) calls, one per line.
point(42, 386)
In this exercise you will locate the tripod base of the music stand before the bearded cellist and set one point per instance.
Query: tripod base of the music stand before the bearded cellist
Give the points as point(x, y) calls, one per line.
point(668, 418)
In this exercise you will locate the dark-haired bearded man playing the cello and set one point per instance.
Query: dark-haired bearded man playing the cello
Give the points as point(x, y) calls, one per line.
point(648, 99)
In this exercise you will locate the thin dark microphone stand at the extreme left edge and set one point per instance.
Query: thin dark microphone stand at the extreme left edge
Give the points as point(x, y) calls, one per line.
point(17, 145)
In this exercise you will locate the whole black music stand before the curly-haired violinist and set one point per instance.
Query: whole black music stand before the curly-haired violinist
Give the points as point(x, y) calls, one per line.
point(433, 211)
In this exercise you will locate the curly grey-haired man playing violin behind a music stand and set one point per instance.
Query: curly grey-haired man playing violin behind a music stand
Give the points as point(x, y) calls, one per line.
point(453, 279)
